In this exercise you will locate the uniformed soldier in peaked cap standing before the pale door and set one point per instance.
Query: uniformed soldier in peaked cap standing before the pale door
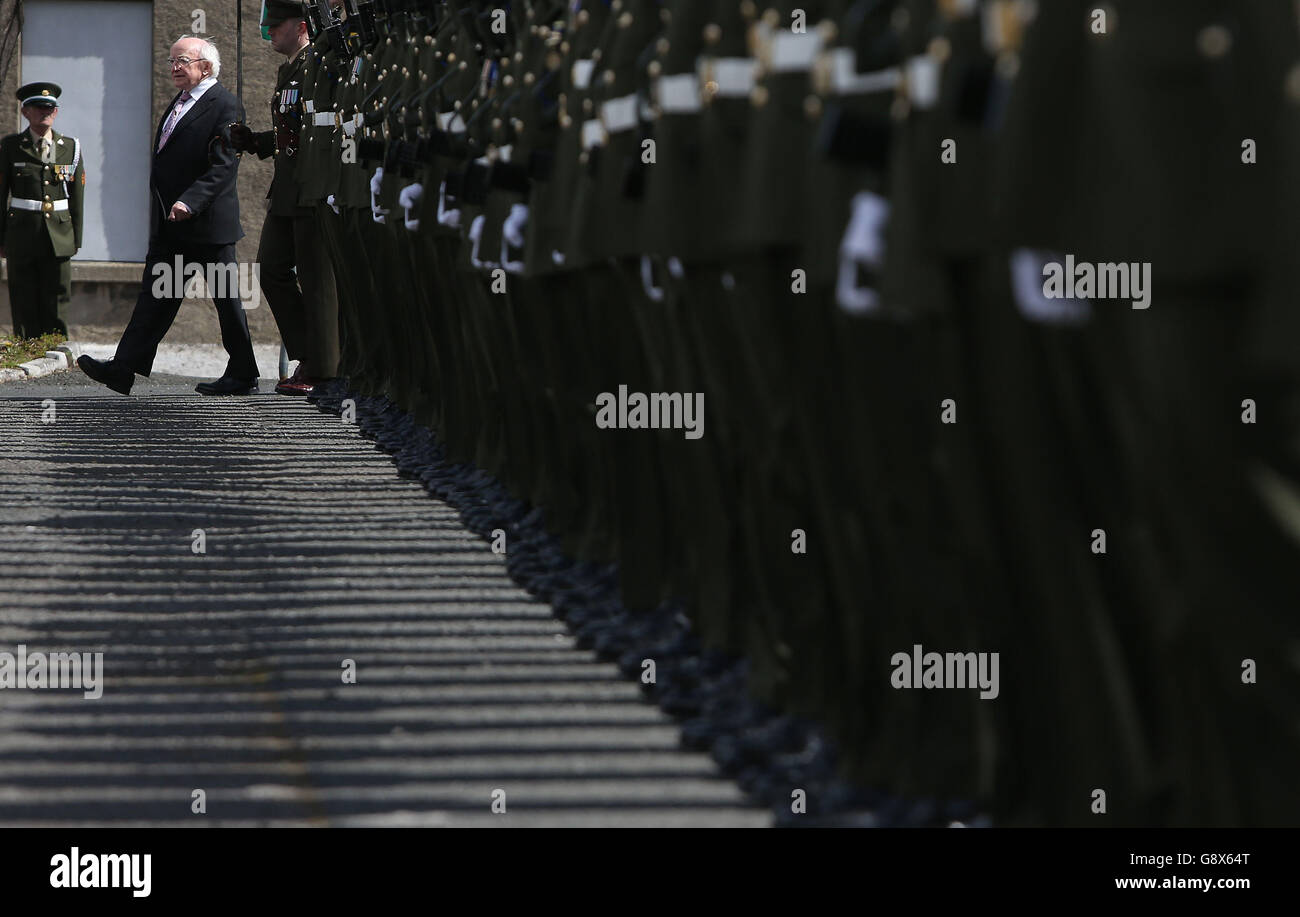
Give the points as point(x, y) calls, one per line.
point(42, 183)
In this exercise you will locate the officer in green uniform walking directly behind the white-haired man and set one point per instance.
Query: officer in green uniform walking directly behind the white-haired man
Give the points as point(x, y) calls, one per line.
point(306, 308)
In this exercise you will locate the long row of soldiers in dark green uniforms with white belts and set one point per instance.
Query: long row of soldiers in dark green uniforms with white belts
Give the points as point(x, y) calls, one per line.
point(834, 219)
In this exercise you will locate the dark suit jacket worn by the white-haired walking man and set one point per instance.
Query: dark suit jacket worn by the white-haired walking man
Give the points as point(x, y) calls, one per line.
point(198, 171)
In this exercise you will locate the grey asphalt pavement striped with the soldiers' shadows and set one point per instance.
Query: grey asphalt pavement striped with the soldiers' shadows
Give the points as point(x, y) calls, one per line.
point(237, 561)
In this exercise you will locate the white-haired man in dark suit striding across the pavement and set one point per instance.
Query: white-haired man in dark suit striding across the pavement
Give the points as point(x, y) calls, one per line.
point(194, 219)
